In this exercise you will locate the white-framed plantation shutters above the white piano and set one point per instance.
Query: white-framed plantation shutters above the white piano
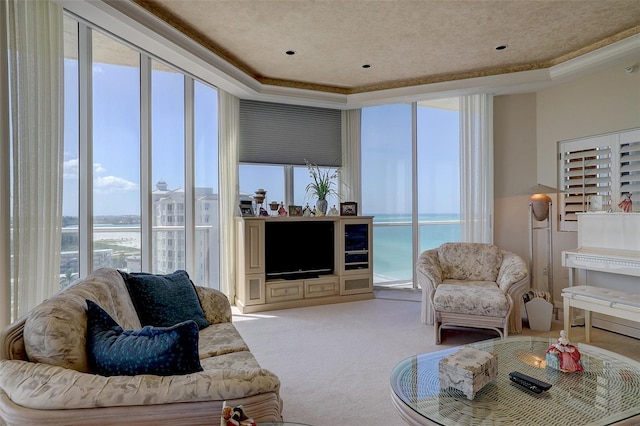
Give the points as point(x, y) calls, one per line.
point(606, 165)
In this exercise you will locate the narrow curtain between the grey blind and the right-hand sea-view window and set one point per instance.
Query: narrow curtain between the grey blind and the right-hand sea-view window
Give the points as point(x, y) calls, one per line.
point(351, 156)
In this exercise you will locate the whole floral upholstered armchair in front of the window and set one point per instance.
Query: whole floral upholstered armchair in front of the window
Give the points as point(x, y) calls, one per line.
point(472, 285)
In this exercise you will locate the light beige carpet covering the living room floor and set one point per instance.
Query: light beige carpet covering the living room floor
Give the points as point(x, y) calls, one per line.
point(334, 361)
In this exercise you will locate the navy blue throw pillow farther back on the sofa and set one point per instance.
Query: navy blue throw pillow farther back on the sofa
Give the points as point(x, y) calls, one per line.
point(164, 300)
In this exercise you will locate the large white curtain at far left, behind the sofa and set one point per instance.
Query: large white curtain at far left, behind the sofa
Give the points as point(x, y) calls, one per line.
point(36, 77)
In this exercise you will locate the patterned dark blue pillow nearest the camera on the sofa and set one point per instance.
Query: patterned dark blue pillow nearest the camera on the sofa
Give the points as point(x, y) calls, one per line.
point(112, 351)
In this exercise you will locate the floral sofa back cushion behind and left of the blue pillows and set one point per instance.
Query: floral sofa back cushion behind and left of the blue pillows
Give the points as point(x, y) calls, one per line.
point(55, 331)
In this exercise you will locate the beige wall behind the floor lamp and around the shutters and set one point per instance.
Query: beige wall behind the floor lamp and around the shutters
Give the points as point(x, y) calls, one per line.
point(527, 128)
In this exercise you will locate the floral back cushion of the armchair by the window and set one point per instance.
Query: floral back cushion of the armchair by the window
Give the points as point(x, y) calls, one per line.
point(470, 261)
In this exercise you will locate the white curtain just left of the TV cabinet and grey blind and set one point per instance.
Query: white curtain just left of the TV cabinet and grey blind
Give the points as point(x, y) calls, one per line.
point(228, 152)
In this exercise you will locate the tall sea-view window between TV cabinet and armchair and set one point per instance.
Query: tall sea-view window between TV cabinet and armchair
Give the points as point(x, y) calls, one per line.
point(410, 204)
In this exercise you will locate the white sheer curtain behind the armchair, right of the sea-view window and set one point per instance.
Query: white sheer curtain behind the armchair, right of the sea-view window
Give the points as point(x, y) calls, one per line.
point(476, 168)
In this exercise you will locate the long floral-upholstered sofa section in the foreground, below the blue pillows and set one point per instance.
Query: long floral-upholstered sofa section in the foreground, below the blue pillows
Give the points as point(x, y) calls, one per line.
point(43, 386)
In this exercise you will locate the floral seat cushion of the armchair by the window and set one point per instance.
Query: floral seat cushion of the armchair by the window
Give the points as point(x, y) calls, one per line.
point(471, 297)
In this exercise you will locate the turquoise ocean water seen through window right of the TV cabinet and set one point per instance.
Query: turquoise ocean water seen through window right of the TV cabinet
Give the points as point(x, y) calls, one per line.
point(392, 242)
